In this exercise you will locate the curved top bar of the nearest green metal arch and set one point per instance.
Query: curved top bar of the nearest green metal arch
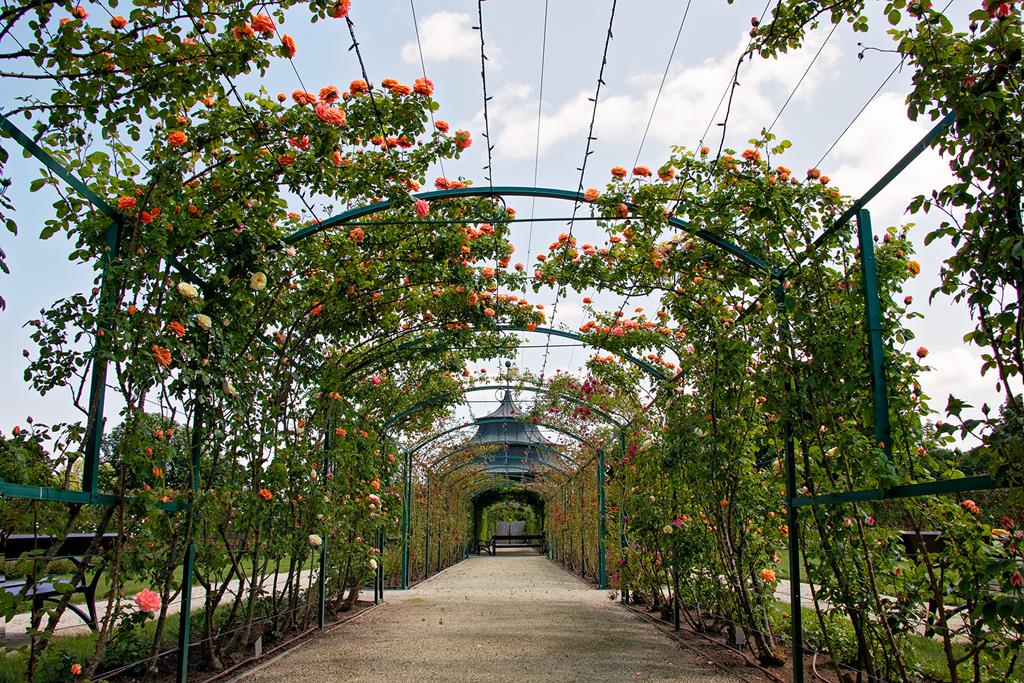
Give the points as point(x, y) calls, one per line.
point(516, 191)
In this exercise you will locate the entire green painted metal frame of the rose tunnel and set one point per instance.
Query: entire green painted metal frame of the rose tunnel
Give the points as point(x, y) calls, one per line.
point(90, 495)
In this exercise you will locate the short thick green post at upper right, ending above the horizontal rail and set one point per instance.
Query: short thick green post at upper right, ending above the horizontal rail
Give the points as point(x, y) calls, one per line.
point(873, 322)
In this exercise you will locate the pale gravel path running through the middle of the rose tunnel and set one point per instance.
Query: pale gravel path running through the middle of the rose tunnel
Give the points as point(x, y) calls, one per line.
point(516, 617)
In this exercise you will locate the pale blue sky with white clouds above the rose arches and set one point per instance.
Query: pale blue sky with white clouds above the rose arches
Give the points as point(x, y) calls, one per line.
point(524, 123)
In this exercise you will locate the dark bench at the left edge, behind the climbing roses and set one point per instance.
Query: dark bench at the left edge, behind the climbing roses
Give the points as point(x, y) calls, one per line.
point(74, 549)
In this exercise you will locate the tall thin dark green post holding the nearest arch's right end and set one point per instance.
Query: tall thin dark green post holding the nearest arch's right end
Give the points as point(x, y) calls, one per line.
point(792, 511)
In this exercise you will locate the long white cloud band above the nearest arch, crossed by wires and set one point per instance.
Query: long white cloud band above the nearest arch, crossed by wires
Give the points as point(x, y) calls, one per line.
point(687, 104)
